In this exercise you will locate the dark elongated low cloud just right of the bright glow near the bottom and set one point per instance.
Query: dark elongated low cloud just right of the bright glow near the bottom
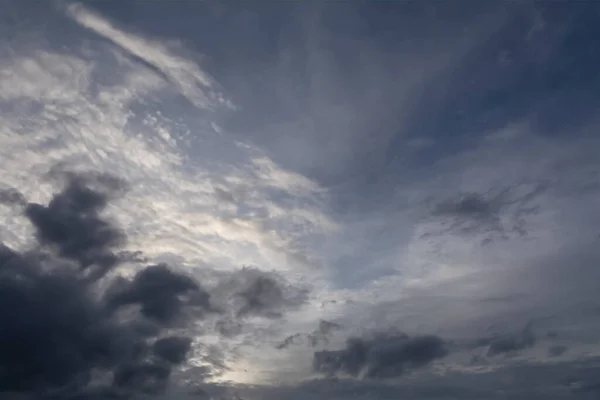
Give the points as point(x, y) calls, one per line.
point(384, 356)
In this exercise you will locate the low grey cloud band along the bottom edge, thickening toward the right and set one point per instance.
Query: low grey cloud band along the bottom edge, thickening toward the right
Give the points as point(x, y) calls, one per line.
point(531, 381)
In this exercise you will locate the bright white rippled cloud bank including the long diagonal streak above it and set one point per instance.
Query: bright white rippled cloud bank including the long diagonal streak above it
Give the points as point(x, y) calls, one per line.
point(77, 121)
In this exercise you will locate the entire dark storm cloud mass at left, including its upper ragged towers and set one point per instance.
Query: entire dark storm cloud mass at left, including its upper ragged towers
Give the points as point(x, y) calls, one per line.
point(57, 333)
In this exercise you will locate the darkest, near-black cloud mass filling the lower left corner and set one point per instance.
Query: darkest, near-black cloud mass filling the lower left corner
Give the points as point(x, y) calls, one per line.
point(56, 334)
